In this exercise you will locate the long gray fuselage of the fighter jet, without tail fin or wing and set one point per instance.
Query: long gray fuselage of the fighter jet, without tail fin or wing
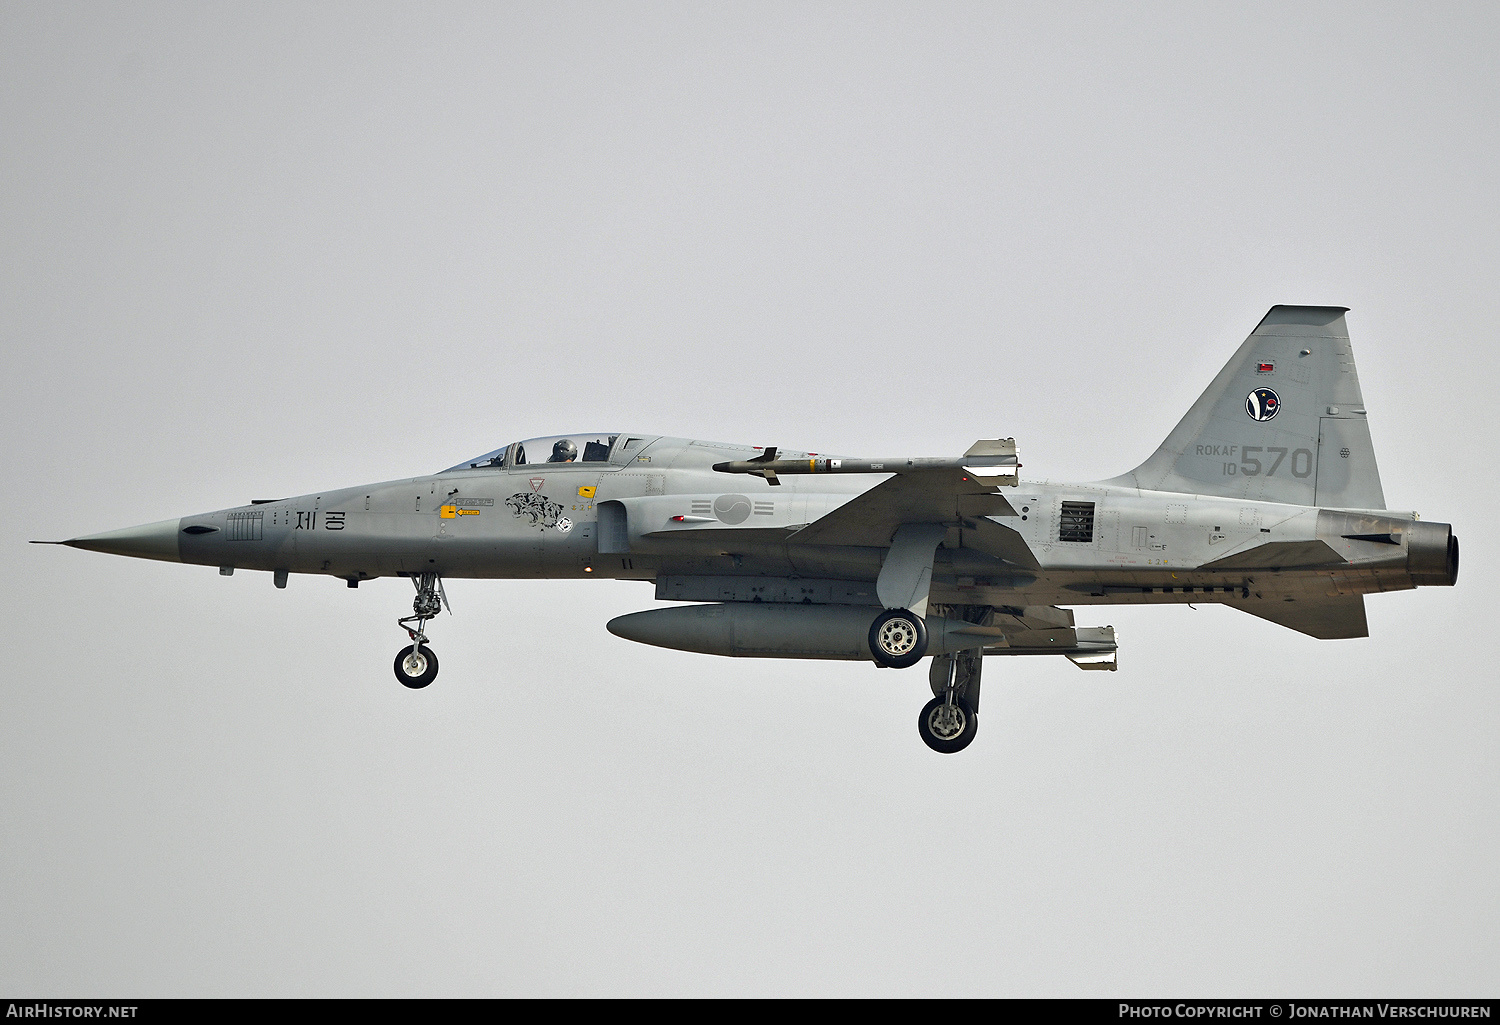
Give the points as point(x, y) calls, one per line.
point(659, 512)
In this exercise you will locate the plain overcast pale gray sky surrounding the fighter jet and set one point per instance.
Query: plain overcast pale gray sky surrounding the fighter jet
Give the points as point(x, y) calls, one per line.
point(262, 250)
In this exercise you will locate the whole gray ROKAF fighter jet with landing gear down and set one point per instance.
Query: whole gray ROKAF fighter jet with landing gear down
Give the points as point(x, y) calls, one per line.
point(1265, 499)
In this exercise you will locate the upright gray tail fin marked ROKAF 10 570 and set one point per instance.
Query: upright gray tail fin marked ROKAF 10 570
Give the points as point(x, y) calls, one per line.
point(1283, 422)
